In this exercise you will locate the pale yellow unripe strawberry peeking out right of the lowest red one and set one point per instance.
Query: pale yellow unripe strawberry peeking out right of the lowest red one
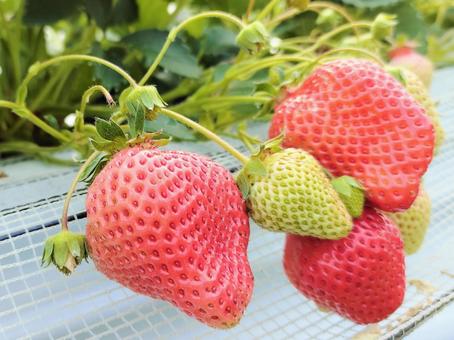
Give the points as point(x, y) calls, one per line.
point(413, 222)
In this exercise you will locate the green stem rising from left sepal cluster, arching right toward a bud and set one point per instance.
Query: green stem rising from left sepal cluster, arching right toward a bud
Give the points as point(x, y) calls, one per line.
point(173, 34)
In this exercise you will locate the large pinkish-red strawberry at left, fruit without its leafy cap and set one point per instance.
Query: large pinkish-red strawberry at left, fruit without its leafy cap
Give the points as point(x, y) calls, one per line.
point(173, 226)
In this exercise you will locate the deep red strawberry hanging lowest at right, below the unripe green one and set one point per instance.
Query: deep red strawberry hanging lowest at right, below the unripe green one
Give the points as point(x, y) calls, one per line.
point(361, 277)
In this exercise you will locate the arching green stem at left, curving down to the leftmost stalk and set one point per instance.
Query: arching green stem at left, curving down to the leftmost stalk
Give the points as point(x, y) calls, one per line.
point(35, 69)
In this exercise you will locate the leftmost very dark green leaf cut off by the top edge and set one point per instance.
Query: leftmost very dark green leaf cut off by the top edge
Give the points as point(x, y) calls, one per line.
point(44, 12)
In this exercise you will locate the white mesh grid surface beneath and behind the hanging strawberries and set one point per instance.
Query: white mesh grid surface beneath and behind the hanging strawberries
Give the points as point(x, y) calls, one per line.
point(43, 304)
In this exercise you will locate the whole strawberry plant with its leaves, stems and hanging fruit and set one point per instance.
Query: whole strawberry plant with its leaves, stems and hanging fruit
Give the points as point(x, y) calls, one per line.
point(348, 136)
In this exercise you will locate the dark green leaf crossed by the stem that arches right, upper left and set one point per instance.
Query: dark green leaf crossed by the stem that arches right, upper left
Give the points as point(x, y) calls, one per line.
point(178, 59)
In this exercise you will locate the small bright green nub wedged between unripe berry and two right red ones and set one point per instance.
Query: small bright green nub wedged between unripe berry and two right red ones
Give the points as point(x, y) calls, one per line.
point(351, 193)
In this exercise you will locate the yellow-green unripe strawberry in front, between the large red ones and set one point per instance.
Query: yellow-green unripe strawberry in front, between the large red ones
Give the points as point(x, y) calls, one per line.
point(294, 195)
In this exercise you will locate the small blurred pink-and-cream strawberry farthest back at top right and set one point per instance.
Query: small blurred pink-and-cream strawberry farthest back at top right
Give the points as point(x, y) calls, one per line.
point(406, 56)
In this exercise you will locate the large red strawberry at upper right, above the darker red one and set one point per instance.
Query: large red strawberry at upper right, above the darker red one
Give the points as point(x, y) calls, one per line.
point(357, 120)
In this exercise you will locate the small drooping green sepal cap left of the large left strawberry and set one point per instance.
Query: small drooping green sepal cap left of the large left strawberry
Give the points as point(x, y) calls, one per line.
point(65, 250)
